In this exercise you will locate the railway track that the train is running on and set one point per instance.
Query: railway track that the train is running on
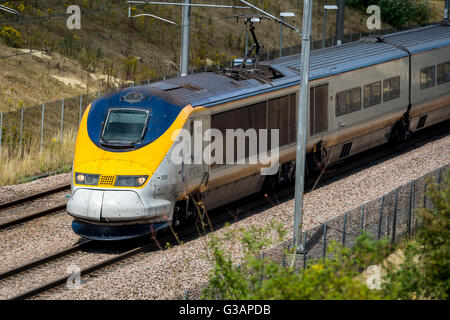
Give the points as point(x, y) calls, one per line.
point(218, 217)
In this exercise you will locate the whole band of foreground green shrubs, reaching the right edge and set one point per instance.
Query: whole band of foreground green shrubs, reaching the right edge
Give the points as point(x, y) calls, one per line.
point(423, 271)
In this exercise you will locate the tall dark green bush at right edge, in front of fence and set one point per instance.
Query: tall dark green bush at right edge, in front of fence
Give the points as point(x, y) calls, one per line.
point(425, 271)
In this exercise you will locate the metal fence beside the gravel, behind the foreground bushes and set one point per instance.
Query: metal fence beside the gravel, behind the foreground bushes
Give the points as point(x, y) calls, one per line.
point(392, 217)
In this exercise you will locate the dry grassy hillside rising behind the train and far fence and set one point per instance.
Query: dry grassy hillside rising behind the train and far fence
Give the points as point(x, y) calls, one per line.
point(108, 40)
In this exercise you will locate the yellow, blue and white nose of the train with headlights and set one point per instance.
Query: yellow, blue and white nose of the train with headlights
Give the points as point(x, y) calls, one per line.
point(124, 184)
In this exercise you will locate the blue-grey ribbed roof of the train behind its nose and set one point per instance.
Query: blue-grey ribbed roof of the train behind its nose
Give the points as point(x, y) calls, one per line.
point(210, 88)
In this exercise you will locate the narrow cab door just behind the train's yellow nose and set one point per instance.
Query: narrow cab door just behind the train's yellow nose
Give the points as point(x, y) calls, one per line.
point(199, 168)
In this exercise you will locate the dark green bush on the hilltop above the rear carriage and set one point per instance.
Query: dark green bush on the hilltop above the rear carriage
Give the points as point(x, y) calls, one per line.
point(397, 13)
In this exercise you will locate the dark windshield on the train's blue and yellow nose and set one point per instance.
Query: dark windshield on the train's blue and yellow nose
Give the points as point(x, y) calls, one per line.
point(125, 126)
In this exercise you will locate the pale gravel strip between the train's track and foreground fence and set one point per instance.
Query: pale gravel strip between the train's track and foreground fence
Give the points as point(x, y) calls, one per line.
point(167, 274)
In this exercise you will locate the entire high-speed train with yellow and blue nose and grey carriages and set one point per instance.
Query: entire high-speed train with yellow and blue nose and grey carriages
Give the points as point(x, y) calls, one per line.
point(362, 94)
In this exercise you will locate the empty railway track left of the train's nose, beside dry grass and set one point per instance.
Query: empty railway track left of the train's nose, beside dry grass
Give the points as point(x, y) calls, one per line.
point(34, 214)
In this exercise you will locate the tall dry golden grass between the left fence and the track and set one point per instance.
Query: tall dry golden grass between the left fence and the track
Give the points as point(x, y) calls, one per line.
point(57, 155)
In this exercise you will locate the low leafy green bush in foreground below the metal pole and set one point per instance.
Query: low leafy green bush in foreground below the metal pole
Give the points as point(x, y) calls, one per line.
point(335, 277)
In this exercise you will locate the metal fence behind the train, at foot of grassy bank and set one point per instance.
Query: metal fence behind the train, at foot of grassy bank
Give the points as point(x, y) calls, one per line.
point(21, 129)
